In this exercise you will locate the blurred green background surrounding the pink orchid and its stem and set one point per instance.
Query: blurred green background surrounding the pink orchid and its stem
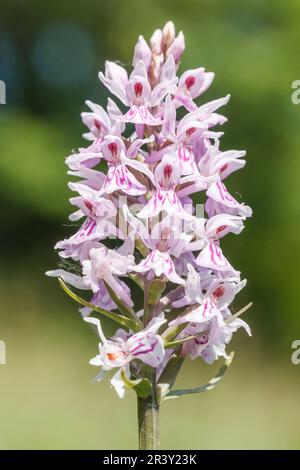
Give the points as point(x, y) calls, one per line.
point(50, 54)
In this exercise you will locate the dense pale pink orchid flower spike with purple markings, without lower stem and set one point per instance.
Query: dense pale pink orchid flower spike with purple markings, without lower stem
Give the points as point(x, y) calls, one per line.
point(149, 154)
